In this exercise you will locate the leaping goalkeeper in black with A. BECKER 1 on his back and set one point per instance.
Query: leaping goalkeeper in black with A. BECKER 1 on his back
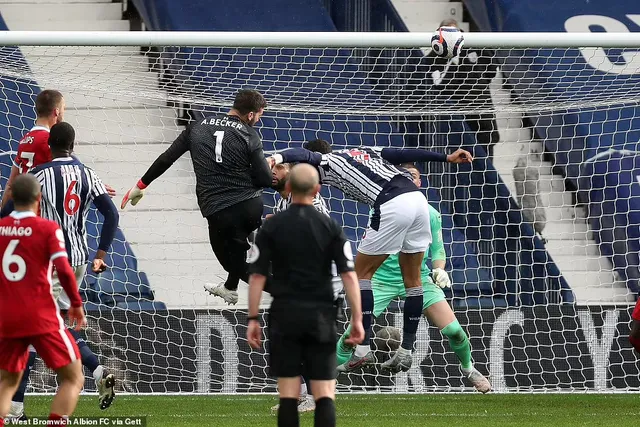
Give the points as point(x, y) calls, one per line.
point(231, 171)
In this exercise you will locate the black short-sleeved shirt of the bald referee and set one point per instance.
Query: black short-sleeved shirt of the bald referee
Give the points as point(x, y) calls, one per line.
point(299, 244)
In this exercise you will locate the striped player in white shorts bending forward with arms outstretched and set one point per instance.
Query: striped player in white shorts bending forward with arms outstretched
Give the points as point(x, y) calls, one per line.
point(399, 223)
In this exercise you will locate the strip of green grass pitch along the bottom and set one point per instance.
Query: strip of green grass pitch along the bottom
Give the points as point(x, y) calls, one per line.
point(374, 410)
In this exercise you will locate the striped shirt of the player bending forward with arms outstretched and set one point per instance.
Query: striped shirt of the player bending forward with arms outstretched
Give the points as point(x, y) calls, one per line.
point(365, 174)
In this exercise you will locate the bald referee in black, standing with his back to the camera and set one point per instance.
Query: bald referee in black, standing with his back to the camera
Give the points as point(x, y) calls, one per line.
point(298, 246)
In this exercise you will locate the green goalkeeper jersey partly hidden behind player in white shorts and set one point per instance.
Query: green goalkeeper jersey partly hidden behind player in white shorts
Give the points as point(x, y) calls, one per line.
point(389, 272)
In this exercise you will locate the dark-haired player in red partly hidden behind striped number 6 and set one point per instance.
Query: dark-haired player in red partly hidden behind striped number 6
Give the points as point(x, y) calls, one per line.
point(33, 149)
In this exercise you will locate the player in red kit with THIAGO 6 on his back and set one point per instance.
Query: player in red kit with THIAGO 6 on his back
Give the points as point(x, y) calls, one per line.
point(30, 247)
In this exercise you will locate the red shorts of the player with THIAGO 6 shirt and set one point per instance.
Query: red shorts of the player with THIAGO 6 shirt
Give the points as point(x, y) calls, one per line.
point(57, 349)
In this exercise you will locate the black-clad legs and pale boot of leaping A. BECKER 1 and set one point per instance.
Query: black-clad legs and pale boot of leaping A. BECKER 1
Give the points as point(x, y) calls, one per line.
point(228, 233)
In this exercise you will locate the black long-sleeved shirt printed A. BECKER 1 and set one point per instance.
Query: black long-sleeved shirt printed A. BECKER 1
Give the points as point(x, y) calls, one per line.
point(228, 161)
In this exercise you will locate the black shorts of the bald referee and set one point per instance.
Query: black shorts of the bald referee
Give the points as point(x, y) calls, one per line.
point(302, 340)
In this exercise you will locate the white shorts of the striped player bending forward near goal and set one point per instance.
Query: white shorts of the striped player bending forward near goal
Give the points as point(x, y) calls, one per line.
point(404, 226)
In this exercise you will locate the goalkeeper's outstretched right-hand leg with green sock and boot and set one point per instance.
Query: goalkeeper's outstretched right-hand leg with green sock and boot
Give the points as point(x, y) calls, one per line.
point(440, 314)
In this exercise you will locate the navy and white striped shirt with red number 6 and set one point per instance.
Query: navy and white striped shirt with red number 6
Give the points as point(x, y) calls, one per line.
point(68, 190)
